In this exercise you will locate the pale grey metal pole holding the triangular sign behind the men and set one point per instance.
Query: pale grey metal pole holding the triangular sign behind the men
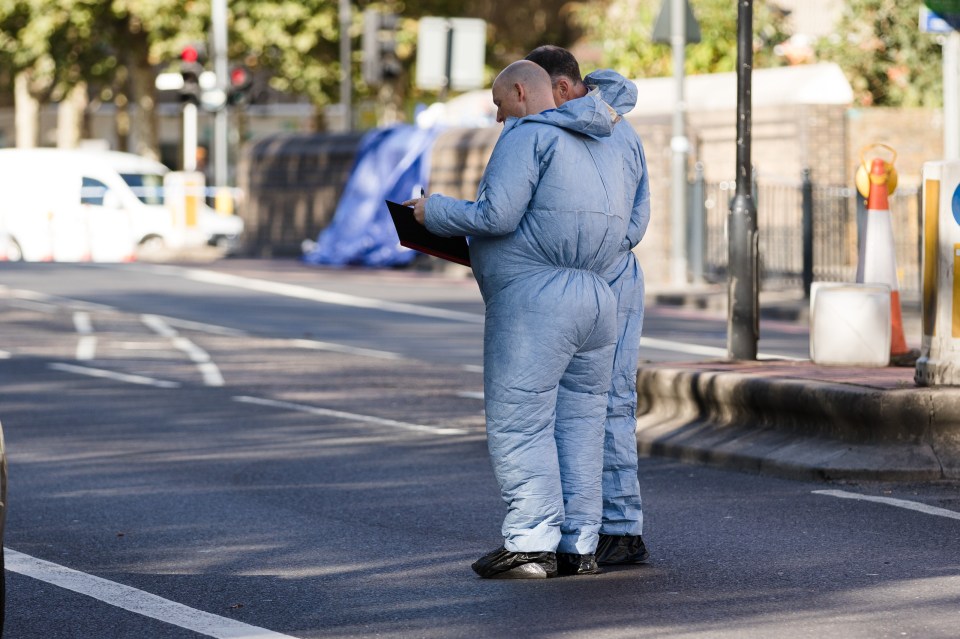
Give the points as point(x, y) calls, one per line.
point(680, 147)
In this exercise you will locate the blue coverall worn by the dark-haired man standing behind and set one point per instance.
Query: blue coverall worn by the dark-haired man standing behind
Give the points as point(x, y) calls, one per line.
point(622, 509)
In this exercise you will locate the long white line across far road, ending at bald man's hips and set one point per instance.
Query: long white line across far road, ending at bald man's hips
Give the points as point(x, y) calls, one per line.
point(317, 295)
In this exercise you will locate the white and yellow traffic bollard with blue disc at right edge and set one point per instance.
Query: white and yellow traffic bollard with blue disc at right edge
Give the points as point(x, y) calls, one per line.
point(939, 362)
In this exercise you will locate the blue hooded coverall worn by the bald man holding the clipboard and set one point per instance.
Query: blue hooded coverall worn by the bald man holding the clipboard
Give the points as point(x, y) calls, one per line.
point(543, 231)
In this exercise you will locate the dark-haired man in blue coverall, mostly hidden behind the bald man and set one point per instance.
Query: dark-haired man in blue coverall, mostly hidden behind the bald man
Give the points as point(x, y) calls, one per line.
point(620, 533)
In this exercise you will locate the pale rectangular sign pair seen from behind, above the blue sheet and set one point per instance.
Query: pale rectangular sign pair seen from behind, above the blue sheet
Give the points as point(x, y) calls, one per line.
point(451, 53)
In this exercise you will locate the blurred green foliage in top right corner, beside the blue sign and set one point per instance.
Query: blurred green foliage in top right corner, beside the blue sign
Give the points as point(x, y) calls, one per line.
point(888, 61)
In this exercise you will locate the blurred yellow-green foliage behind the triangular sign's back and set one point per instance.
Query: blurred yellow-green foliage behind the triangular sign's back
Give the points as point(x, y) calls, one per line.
point(622, 31)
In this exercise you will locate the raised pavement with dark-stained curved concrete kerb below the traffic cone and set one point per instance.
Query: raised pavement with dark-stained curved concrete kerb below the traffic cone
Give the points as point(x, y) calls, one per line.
point(797, 419)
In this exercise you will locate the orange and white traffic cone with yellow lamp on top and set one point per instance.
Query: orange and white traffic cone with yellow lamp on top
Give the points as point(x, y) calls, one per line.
point(878, 259)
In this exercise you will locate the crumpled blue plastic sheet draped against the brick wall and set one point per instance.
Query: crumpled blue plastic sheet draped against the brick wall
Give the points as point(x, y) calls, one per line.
point(392, 164)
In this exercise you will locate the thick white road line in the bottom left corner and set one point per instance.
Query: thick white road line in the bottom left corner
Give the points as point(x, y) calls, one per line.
point(134, 600)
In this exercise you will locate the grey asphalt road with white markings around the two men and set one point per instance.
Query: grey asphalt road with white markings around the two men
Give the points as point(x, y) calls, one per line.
point(264, 449)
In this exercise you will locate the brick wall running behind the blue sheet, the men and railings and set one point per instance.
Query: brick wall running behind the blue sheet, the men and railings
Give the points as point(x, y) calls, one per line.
point(294, 181)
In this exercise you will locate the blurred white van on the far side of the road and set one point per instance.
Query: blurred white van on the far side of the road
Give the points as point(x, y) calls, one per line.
point(77, 205)
